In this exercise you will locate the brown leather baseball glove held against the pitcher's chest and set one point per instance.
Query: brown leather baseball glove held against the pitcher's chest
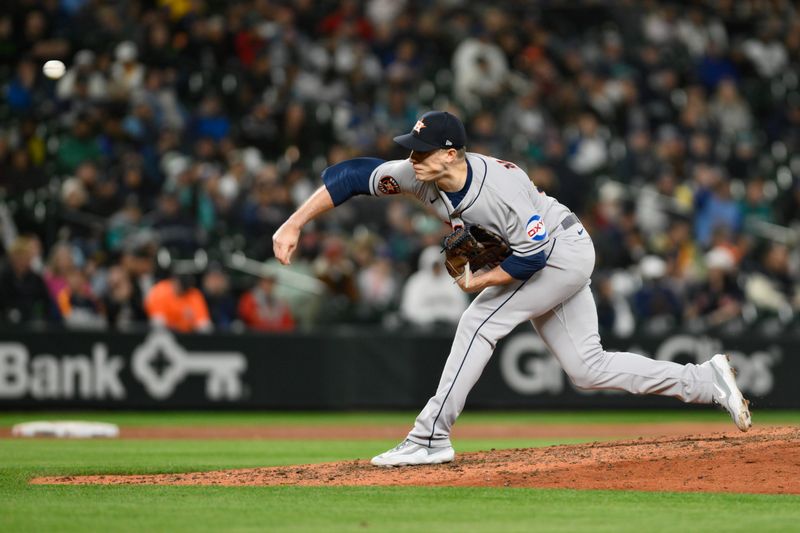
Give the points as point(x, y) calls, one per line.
point(474, 245)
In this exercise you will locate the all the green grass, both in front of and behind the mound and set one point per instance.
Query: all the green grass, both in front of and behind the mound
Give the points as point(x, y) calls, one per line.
point(25, 507)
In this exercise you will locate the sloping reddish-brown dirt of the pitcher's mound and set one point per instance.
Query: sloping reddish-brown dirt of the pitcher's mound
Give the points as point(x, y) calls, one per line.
point(765, 460)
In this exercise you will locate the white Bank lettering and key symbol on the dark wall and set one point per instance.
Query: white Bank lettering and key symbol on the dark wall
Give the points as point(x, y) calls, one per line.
point(160, 364)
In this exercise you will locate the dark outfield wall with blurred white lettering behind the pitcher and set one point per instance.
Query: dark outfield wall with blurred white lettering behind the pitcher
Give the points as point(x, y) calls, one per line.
point(340, 369)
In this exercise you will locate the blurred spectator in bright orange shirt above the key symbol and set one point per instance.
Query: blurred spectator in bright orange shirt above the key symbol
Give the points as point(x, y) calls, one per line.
point(177, 304)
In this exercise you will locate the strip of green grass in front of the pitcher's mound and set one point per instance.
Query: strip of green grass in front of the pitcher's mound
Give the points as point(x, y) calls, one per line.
point(391, 509)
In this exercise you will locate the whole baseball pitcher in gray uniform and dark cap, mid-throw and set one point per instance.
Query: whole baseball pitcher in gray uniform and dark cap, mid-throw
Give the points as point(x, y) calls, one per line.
point(528, 256)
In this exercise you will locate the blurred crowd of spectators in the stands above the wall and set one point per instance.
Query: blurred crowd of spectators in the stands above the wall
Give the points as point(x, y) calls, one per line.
point(144, 185)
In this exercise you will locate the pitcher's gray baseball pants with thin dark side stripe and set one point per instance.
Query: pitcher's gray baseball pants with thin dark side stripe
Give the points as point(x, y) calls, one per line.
point(559, 303)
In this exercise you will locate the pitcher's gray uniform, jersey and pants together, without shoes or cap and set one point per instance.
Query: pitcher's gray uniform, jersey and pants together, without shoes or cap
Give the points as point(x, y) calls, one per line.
point(557, 299)
